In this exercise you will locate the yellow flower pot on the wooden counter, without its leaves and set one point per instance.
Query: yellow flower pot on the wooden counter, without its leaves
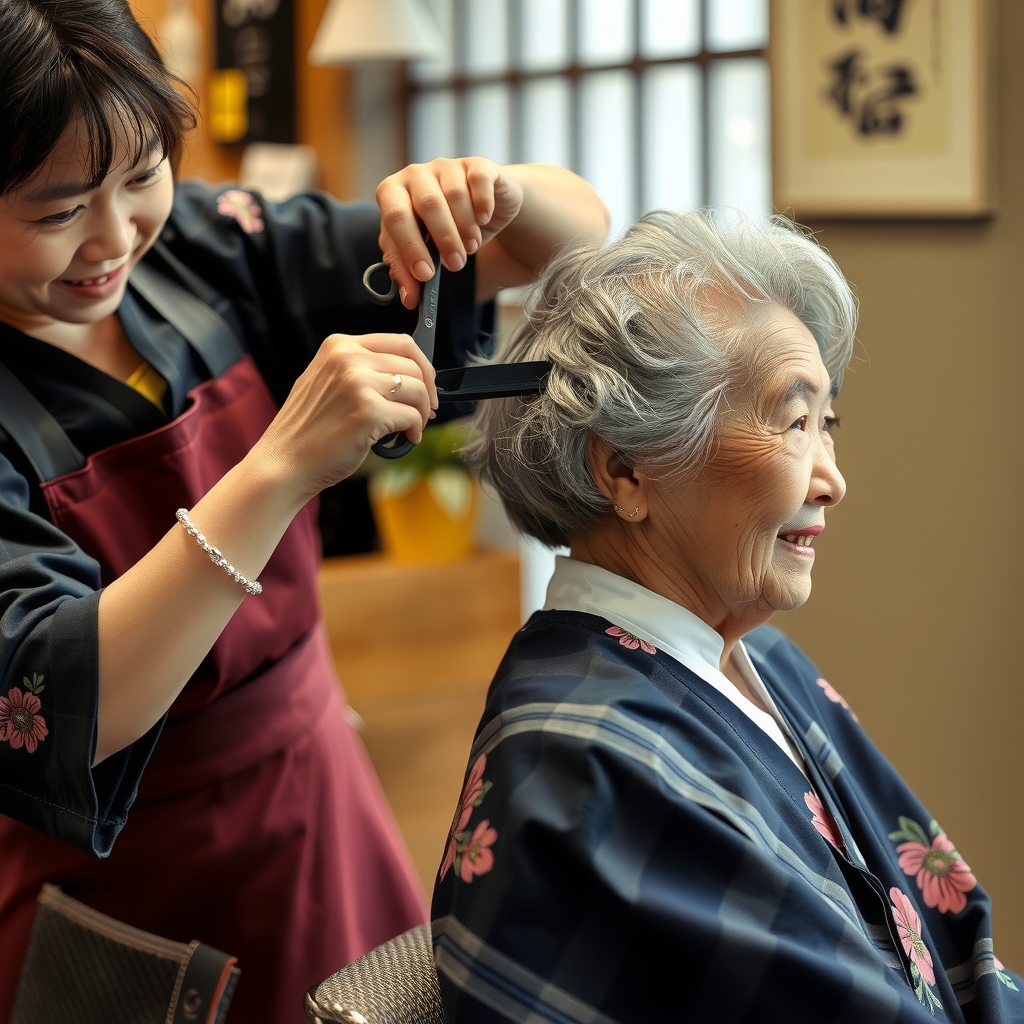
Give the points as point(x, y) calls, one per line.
point(429, 521)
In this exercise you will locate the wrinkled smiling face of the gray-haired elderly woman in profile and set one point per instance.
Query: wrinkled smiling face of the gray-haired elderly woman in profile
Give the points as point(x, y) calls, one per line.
point(742, 532)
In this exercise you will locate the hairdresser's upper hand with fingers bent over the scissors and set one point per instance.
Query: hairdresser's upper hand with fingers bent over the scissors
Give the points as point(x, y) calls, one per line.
point(461, 203)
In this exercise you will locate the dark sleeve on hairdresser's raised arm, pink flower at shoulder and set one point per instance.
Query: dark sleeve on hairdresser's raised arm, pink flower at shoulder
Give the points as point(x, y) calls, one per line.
point(293, 272)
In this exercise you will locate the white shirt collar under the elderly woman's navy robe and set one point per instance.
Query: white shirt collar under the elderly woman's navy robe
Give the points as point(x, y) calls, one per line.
point(579, 586)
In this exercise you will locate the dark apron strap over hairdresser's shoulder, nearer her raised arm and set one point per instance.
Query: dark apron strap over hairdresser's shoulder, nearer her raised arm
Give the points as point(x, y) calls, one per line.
point(198, 323)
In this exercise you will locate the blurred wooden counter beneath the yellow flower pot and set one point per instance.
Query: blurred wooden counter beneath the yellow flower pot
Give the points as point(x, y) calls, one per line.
point(416, 648)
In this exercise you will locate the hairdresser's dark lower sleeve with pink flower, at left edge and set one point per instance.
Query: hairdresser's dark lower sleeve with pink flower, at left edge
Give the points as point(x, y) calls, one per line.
point(50, 595)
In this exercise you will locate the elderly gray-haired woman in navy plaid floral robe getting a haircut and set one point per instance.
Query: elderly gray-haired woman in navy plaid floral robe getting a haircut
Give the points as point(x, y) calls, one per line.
point(669, 816)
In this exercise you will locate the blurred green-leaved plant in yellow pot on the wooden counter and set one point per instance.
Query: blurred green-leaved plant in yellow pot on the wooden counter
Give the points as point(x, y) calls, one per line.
point(425, 503)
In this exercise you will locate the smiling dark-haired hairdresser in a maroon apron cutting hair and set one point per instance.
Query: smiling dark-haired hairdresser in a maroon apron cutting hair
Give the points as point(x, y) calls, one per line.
point(169, 411)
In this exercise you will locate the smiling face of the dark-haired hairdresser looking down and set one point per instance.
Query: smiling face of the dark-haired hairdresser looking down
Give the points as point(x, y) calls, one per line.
point(66, 248)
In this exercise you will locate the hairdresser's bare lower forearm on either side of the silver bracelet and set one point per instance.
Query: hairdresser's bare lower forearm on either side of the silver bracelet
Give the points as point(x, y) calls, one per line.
point(160, 619)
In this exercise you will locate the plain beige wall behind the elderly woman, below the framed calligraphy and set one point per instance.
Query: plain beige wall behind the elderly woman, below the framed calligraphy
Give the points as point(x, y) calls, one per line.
point(919, 600)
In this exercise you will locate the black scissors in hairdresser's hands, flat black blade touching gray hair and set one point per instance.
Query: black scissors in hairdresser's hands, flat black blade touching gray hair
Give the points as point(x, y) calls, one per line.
point(500, 380)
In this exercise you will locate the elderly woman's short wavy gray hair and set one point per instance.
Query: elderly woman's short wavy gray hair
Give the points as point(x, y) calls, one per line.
point(638, 336)
